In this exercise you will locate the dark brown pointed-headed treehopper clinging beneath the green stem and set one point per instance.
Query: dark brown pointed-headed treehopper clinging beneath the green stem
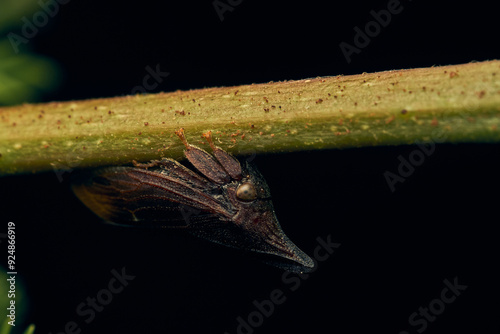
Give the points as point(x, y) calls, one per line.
point(229, 204)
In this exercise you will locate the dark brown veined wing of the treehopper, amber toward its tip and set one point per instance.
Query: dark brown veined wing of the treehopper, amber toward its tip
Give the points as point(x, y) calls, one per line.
point(127, 195)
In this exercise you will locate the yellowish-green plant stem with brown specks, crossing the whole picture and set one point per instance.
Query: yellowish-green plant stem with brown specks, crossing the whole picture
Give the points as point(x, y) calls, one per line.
point(458, 103)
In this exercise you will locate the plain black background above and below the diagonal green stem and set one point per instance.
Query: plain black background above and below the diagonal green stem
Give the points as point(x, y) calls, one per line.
point(396, 247)
